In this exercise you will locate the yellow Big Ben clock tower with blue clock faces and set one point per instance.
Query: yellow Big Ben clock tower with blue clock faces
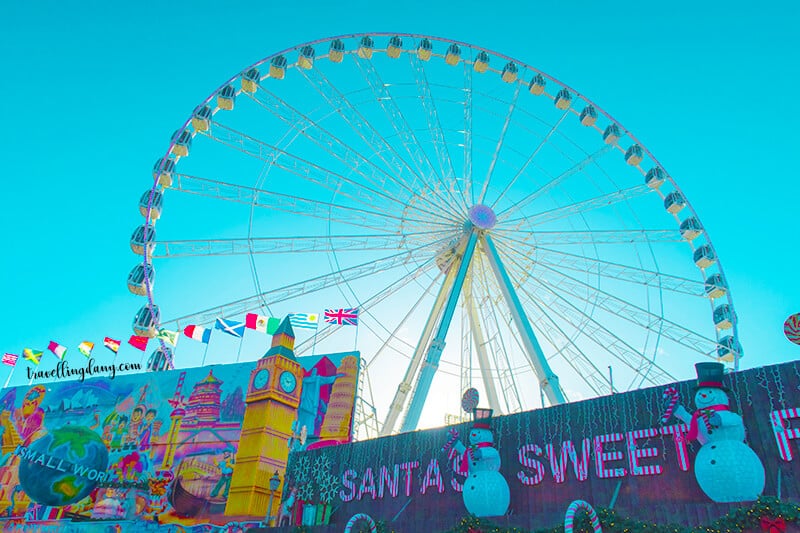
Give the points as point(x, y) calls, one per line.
point(273, 395)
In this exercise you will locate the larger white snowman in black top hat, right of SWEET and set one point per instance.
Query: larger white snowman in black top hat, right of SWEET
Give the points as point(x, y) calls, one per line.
point(726, 469)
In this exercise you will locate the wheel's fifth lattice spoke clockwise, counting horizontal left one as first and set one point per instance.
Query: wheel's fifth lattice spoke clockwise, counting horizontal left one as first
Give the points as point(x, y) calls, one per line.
point(382, 148)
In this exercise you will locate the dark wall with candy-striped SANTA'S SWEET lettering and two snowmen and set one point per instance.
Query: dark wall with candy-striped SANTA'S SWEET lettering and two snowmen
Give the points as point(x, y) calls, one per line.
point(619, 450)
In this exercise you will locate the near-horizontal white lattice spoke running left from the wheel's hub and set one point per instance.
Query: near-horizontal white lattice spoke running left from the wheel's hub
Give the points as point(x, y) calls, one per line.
point(293, 244)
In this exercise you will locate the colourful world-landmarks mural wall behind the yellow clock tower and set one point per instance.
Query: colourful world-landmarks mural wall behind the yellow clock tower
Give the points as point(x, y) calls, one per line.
point(159, 447)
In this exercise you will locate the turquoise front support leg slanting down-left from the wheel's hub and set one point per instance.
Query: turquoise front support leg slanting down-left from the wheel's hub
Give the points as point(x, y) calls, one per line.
point(431, 364)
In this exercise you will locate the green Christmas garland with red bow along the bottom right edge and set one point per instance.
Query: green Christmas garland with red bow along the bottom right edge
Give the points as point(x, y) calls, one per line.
point(767, 513)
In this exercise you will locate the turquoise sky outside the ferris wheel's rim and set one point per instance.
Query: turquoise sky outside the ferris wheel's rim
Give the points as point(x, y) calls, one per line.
point(92, 92)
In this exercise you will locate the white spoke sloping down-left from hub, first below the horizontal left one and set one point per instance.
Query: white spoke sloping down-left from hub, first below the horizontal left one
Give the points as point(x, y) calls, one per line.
point(318, 283)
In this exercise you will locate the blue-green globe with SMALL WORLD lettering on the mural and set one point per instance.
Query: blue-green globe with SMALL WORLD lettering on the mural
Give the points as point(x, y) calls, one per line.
point(62, 466)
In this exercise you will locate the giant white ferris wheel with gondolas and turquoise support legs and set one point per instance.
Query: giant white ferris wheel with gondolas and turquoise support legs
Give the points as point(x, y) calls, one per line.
point(494, 227)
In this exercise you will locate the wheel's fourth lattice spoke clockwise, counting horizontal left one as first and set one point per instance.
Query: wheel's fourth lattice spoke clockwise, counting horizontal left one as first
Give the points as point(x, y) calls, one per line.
point(347, 155)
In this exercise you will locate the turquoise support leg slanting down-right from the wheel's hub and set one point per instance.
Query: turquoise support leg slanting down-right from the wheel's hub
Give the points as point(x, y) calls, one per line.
point(548, 381)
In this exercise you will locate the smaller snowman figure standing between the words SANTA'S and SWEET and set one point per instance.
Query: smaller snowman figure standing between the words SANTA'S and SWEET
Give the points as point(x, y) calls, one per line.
point(485, 490)
